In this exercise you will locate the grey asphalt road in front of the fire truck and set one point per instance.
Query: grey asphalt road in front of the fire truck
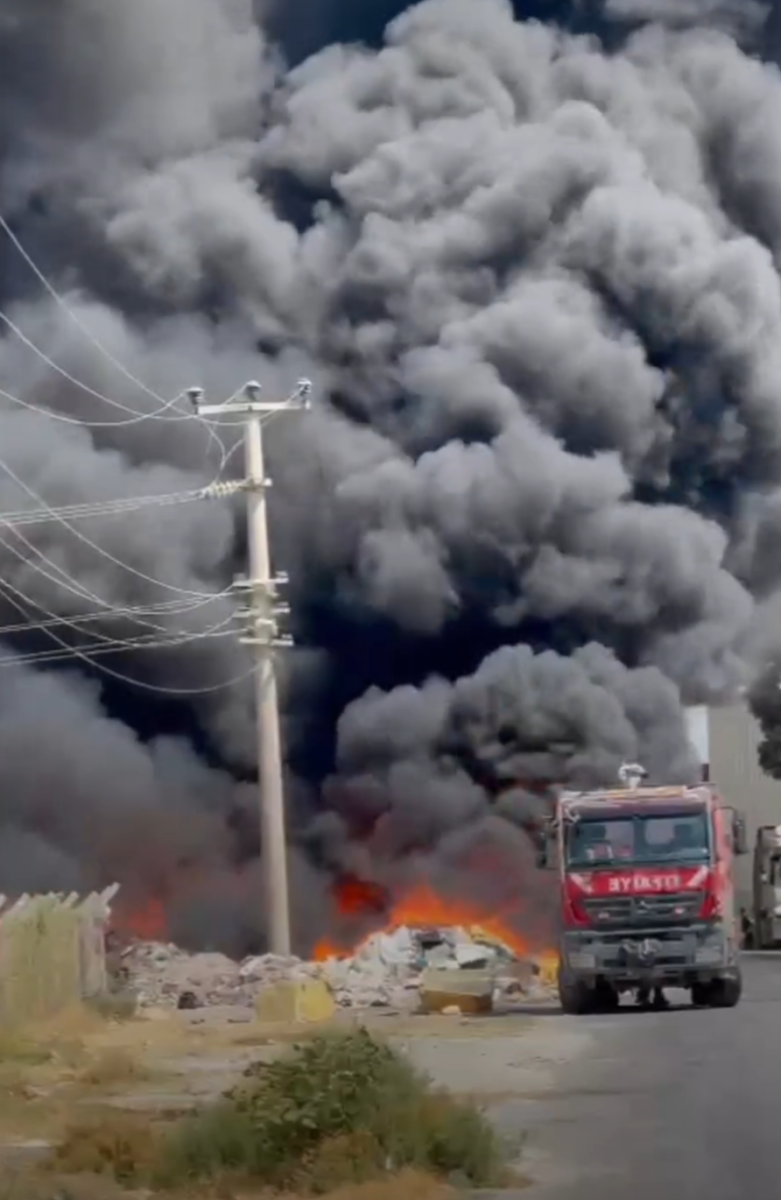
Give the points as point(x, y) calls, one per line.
point(687, 1101)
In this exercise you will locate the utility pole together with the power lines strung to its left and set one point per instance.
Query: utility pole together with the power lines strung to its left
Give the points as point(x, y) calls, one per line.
point(260, 590)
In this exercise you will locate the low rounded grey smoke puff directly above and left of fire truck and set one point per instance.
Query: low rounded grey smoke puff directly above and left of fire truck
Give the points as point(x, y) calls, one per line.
point(426, 758)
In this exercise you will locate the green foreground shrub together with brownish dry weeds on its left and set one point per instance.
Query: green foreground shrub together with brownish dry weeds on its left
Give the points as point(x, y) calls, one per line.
point(328, 1118)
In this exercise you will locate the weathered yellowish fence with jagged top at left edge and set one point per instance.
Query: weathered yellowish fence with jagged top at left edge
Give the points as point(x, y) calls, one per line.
point(52, 953)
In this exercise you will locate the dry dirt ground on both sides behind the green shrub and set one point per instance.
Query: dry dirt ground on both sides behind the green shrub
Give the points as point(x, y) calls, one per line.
point(170, 1064)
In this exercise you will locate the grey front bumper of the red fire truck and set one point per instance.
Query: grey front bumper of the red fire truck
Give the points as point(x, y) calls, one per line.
point(628, 959)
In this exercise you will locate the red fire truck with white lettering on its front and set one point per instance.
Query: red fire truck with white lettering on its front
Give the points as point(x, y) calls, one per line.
point(647, 893)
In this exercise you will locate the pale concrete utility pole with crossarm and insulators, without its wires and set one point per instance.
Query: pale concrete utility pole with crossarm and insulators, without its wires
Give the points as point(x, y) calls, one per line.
point(262, 634)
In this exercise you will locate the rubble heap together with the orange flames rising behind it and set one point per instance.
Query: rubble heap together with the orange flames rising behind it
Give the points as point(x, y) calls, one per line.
point(430, 953)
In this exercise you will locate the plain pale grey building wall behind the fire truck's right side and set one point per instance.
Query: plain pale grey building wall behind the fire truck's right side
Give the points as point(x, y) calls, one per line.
point(734, 737)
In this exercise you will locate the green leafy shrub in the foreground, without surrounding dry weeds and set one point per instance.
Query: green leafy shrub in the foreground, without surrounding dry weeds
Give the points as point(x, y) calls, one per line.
point(338, 1111)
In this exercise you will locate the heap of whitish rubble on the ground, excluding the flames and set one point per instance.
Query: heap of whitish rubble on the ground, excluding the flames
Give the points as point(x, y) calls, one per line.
point(390, 970)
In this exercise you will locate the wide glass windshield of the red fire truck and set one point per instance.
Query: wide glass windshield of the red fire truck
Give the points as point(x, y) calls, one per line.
point(682, 838)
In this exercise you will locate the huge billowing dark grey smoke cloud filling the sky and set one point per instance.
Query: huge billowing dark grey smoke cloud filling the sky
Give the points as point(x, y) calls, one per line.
point(530, 259)
